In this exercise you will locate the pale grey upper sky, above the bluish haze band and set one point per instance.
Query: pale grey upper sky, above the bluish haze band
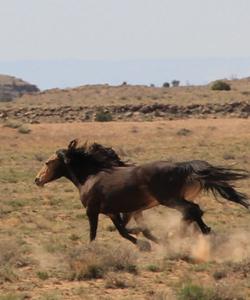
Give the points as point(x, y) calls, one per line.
point(123, 29)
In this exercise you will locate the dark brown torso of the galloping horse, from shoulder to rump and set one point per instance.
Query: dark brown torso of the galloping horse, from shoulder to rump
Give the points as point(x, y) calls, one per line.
point(127, 189)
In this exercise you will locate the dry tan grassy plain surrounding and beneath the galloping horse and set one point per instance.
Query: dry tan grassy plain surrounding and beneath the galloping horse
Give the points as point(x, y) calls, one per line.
point(44, 248)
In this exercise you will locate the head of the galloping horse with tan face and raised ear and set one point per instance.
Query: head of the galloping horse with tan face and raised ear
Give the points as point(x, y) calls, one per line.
point(55, 166)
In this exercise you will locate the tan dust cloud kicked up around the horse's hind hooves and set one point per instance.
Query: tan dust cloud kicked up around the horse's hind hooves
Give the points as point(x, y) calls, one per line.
point(179, 240)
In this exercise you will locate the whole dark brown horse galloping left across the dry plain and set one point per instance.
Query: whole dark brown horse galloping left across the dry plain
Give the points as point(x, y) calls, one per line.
point(111, 187)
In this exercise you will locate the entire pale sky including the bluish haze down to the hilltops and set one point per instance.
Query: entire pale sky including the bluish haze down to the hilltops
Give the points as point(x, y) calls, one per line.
point(61, 43)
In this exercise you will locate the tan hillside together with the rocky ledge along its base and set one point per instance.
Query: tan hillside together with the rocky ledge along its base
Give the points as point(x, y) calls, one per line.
point(129, 102)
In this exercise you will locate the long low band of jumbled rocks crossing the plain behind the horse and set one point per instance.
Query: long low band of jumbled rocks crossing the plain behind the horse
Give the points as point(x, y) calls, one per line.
point(140, 112)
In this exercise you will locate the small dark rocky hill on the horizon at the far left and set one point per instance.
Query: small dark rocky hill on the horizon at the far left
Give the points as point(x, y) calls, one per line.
point(12, 87)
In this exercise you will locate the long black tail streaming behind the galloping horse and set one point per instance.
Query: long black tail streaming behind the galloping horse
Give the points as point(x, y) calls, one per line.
point(219, 180)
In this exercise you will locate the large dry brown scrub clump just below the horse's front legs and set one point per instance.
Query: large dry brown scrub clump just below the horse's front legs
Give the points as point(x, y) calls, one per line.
point(94, 261)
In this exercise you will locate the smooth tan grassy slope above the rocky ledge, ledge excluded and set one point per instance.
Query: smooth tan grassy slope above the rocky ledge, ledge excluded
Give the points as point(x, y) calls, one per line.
point(125, 94)
